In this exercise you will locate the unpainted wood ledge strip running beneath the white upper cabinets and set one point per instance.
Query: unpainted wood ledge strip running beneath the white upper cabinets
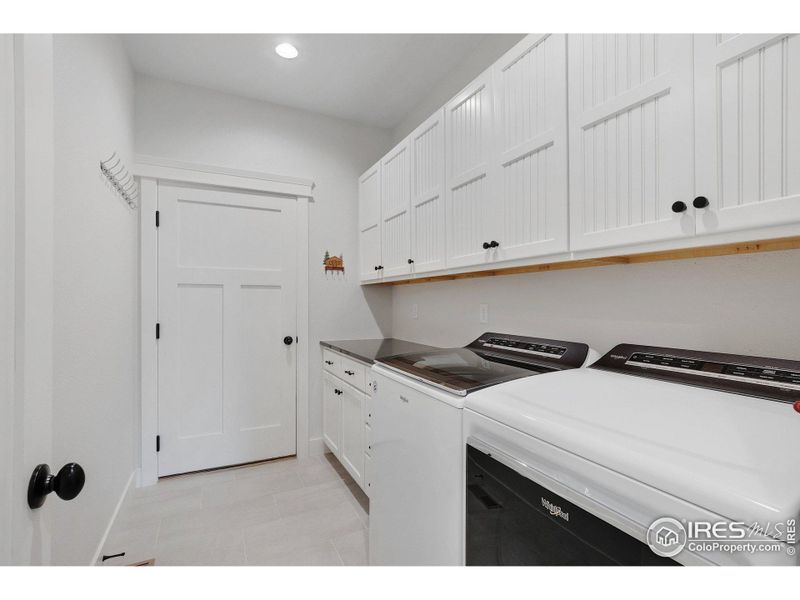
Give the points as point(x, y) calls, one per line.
point(752, 247)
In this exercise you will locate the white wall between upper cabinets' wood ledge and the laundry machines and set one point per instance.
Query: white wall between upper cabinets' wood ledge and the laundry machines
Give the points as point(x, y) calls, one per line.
point(740, 304)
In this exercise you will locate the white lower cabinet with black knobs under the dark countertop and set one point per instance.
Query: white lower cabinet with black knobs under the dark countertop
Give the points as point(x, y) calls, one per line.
point(345, 412)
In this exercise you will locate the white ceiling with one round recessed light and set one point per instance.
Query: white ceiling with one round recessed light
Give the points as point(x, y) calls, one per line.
point(374, 79)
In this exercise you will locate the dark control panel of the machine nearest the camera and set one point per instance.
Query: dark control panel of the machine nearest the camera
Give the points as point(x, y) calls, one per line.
point(770, 378)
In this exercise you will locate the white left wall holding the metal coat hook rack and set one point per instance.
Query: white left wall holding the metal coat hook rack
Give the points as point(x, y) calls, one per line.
point(95, 418)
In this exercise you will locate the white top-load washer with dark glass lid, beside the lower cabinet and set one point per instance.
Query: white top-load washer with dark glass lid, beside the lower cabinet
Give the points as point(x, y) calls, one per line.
point(417, 468)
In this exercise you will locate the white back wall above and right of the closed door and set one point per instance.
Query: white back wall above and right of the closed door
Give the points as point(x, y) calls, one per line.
point(193, 124)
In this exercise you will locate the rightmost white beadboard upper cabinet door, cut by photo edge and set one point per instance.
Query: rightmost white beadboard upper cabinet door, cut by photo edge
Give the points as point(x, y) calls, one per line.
point(747, 130)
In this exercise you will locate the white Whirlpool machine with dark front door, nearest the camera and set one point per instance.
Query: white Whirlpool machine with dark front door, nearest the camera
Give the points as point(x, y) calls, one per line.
point(650, 456)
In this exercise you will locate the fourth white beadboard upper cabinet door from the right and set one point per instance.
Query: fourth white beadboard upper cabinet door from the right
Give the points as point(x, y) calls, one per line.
point(470, 192)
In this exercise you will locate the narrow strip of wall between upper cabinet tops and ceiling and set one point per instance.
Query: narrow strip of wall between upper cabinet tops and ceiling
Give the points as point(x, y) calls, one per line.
point(487, 52)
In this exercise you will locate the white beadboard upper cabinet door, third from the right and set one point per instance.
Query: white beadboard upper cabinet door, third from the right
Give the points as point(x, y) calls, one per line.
point(530, 83)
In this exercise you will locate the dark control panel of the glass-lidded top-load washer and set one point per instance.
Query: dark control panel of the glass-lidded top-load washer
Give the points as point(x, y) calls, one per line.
point(518, 348)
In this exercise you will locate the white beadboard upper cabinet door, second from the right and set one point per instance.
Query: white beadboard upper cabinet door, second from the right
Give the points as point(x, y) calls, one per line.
point(630, 121)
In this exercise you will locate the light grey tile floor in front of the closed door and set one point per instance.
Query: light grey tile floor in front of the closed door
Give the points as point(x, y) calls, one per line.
point(282, 512)
